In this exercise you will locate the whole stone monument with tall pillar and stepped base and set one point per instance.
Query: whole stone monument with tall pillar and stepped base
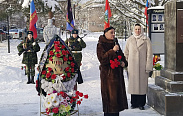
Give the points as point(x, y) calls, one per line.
point(166, 96)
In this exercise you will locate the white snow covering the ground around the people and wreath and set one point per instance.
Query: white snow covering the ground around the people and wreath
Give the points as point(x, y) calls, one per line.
point(21, 99)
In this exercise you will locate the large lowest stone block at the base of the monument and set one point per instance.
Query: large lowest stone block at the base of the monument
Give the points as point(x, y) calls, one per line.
point(165, 103)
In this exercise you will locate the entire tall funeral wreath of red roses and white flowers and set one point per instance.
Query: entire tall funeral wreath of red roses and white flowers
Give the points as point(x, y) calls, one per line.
point(58, 78)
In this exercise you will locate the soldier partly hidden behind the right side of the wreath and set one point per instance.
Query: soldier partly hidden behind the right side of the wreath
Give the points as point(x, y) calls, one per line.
point(76, 44)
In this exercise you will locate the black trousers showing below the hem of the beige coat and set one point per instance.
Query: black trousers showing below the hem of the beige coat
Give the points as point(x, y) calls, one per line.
point(138, 100)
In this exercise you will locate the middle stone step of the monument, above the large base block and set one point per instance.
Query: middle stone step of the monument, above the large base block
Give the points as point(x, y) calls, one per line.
point(168, 85)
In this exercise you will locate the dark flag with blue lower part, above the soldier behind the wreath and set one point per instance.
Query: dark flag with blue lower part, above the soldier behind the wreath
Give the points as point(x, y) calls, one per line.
point(69, 17)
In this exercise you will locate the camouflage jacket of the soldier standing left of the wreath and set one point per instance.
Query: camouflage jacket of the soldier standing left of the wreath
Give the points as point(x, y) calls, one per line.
point(29, 52)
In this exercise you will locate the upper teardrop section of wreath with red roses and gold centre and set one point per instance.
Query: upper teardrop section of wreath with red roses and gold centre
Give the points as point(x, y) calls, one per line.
point(63, 57)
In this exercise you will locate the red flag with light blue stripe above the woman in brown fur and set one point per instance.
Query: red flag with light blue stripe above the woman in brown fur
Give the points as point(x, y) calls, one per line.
point(107, 15)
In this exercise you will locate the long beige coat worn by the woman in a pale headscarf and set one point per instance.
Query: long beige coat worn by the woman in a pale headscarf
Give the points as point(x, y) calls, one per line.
point(140, 63)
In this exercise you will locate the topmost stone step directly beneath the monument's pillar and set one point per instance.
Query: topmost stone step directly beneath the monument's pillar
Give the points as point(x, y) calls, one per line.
point(172, 75)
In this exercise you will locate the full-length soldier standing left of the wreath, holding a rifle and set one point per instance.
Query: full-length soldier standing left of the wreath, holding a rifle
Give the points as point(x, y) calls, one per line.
point(29, 47)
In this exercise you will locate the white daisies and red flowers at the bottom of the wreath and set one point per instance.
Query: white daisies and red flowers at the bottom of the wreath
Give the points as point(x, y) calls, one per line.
point(60, 104)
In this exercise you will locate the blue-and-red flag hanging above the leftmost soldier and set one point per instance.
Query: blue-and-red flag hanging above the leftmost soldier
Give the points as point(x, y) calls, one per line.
point(33, 19)
